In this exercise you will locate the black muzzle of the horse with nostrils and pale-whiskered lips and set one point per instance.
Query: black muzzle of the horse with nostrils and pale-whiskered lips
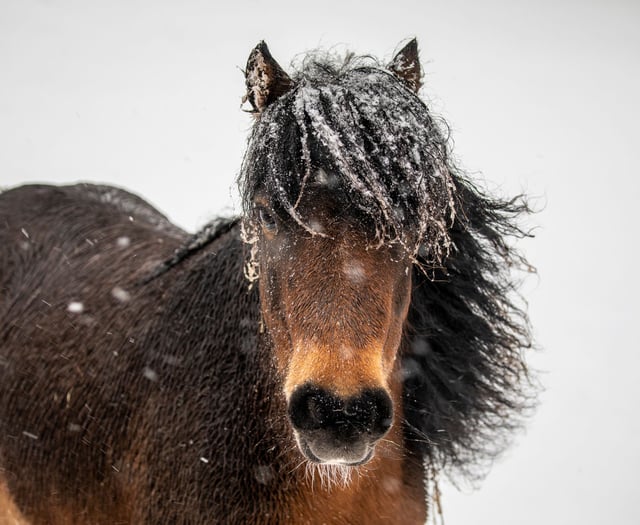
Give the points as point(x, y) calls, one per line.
point(335, 430)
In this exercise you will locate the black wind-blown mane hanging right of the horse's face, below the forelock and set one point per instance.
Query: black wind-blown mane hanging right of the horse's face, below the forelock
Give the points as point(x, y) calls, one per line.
point(465, 379)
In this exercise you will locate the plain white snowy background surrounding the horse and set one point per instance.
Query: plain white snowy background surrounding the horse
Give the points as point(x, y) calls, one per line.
point(541, 96)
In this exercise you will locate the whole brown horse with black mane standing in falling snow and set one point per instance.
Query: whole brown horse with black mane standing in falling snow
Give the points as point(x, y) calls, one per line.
point(319, 359)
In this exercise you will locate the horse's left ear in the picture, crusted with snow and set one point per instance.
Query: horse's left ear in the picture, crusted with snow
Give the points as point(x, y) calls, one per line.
point(265, 79)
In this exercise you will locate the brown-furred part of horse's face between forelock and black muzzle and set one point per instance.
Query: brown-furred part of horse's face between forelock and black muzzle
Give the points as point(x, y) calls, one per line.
point(336, 318)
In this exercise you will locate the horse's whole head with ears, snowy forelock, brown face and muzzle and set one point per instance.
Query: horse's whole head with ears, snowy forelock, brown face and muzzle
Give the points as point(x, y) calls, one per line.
point(342, 182)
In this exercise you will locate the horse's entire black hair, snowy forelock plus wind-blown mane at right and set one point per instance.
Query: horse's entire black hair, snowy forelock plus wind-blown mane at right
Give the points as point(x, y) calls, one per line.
point(465, 381)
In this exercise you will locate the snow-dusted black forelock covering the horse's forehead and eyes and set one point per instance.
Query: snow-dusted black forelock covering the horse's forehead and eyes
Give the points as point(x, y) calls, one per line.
point(371, 135)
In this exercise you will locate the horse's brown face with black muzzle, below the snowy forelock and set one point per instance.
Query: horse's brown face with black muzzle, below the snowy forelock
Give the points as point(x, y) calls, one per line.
point(335, 307)
